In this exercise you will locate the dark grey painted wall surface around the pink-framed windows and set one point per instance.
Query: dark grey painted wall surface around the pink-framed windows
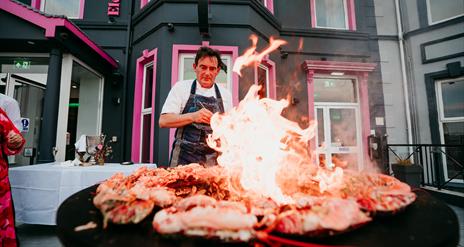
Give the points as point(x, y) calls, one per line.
point(231, 24)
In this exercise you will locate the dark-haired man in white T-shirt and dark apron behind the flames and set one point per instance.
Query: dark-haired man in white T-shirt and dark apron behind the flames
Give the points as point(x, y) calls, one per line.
point(189, 107)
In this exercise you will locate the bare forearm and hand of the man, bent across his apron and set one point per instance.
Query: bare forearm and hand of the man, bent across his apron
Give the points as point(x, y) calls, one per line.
point(172, 120)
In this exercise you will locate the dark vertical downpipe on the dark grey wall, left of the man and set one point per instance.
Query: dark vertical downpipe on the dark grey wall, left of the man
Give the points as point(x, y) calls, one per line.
point(126, 85)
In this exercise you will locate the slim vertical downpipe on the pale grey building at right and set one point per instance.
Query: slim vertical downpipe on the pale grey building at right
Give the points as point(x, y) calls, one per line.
point(403, 73)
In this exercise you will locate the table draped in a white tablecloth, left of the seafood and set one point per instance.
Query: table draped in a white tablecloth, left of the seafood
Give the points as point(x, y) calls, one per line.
point(38, 190)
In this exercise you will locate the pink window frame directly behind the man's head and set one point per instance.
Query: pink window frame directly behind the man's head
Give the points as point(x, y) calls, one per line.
point(178, 49)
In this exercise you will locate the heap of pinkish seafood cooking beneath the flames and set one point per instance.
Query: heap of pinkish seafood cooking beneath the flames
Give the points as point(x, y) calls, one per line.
point(208, 202)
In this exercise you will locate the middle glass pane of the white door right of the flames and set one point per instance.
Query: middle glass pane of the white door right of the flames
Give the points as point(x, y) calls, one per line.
point(343, 127)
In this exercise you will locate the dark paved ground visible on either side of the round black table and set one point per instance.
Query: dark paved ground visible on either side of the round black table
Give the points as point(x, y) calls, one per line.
point(45, 236)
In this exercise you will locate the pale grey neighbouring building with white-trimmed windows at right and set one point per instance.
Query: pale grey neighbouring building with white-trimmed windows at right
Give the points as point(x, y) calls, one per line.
point(422, 55)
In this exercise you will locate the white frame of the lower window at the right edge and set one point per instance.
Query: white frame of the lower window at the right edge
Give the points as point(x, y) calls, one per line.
point(442, 119)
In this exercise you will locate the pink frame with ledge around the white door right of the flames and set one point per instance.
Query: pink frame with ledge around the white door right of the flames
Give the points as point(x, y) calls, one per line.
point(357, 69)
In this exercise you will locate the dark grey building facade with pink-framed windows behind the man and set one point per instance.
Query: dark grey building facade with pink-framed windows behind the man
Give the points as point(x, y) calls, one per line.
point(329, 70)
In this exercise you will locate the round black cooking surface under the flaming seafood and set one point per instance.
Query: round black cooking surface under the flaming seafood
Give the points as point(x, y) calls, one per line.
point(426, 222)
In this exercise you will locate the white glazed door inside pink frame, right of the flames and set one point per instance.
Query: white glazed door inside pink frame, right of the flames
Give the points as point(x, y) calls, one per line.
point(338, 137)
